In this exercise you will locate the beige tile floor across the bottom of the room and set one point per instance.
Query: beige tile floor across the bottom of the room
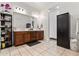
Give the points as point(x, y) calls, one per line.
point(45, 48)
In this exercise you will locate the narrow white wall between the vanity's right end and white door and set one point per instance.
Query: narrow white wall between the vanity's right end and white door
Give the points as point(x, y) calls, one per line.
point(44, 21)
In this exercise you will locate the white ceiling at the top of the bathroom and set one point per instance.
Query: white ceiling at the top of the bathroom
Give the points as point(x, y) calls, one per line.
point(41, 6)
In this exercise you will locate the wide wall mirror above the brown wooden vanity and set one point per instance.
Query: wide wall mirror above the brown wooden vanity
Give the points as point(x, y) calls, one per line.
point(24, 21)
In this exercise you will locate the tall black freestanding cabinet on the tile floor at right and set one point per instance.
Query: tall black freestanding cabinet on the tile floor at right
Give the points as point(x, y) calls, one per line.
point(63, 30)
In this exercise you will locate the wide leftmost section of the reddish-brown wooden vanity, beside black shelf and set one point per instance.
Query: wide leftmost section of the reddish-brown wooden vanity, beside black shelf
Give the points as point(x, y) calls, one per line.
point(19, 38)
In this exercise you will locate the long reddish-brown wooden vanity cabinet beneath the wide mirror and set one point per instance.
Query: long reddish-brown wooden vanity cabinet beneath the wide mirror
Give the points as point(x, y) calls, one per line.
point(22, 37)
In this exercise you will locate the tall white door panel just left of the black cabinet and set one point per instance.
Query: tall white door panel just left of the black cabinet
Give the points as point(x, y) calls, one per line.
point(52, 25)
